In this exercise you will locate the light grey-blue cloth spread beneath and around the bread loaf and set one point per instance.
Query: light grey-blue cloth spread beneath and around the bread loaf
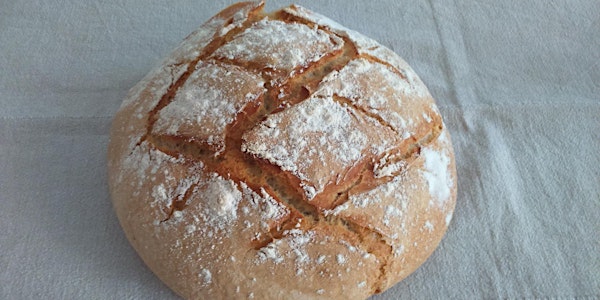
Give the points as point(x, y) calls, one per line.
point(518, 83)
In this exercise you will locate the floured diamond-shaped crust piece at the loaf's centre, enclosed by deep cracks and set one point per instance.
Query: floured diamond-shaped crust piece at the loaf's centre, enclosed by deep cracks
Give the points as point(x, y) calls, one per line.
point(315, 140)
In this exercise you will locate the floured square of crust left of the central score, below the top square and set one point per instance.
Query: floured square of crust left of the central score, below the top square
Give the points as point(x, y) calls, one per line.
point(210, 100)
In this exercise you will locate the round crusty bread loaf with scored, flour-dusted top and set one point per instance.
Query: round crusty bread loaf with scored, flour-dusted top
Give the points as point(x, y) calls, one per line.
point(281, 156)
